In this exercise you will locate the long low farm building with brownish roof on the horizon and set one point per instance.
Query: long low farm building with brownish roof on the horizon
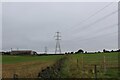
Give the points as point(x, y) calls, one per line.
point(23, 52)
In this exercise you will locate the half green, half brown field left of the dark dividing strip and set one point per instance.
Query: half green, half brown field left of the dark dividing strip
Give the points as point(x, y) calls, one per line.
point(26, 66)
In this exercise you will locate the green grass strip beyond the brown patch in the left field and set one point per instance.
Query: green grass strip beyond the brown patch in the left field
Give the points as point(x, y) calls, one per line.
point(10, 59)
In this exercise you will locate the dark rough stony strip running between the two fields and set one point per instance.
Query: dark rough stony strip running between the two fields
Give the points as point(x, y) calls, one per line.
point(53, 71)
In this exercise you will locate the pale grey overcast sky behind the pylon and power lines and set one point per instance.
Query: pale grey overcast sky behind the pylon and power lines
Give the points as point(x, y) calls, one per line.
point(91, 26)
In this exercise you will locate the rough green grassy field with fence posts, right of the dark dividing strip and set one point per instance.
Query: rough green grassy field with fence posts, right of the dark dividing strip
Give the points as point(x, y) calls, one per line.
point(82, 66)
